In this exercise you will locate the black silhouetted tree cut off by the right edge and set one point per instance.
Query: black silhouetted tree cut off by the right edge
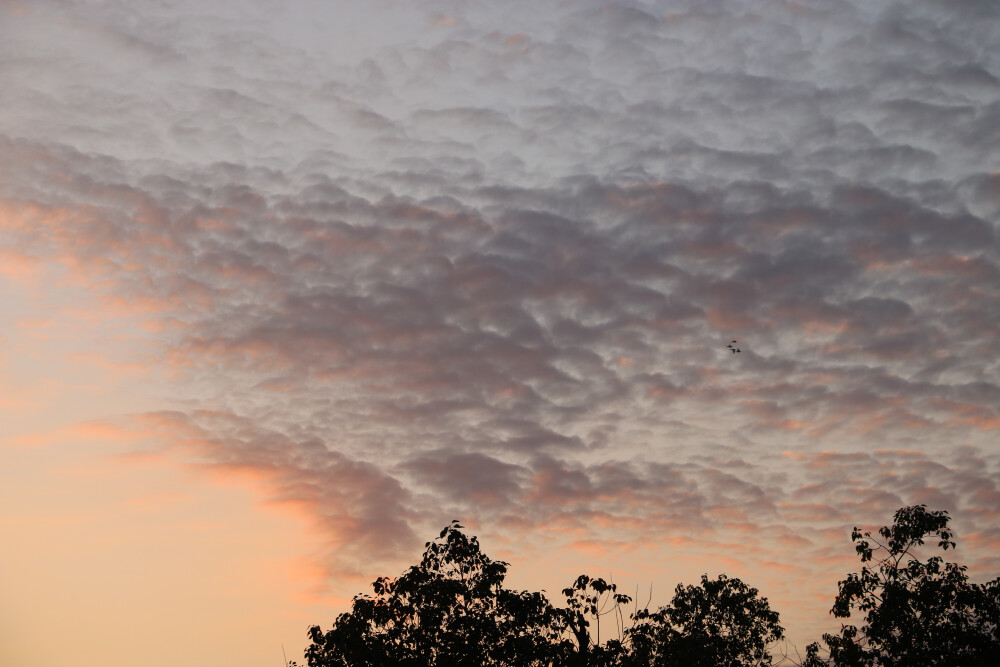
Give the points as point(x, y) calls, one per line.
point(916, 612)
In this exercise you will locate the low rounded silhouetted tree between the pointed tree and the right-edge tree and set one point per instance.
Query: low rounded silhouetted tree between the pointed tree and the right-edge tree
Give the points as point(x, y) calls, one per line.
point(720, 623)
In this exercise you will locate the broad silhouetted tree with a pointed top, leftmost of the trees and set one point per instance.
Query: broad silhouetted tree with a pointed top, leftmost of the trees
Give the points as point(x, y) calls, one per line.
point(452, 609)
